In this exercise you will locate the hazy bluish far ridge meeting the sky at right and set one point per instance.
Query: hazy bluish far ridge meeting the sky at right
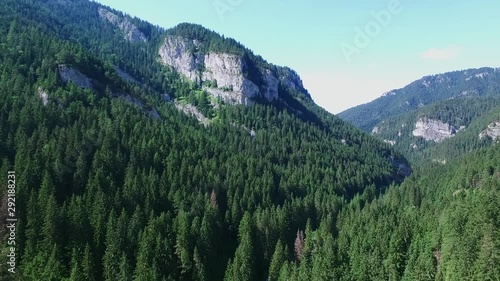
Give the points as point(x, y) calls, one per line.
point(482, 82)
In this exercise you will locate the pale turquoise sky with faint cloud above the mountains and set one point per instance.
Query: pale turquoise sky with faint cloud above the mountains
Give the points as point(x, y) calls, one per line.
point(346, 52)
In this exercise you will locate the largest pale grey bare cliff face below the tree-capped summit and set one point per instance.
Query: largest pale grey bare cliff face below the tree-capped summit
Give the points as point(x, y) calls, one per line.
point(225, 75)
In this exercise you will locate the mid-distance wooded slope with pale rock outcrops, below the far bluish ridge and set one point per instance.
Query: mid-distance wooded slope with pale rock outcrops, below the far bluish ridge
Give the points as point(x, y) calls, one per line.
point(444, 130)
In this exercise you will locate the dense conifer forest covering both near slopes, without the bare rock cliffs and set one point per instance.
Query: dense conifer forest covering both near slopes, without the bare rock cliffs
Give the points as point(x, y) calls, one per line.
point(109, 189)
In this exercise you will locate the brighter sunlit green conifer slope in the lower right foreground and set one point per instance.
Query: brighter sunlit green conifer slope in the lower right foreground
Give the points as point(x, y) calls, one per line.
point(442, 223)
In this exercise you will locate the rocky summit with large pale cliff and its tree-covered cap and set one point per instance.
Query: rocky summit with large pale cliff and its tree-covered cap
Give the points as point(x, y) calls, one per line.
point(223, 67)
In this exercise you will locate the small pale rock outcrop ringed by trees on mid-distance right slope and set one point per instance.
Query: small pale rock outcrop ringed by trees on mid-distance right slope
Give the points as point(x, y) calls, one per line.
point(433, 130)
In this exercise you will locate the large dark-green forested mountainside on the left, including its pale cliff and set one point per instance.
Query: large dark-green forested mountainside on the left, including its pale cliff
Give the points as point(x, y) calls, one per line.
point(115, 182)
